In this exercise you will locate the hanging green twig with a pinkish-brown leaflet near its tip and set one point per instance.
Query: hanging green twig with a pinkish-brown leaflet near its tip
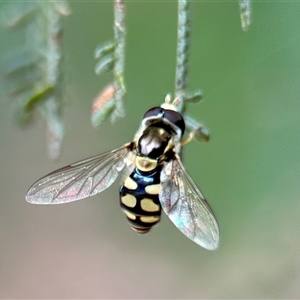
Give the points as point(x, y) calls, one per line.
point(109, 101)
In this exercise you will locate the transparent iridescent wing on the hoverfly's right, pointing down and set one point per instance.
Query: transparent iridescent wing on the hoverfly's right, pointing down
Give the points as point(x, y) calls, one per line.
point(185, 205)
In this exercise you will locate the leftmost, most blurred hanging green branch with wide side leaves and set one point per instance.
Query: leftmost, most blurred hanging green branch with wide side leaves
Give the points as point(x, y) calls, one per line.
point(35, 73)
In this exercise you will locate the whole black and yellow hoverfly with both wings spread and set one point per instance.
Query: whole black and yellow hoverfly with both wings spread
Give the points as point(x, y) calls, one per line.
point(155, 178)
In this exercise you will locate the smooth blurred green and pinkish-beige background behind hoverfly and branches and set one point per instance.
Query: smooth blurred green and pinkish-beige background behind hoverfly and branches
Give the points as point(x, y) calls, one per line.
point(249, 171)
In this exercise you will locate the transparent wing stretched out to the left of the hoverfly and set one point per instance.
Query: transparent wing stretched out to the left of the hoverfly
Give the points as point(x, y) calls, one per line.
point(80, 180)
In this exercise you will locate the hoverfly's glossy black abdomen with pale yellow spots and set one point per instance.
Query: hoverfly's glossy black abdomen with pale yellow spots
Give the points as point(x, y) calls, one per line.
point(139, 200)
